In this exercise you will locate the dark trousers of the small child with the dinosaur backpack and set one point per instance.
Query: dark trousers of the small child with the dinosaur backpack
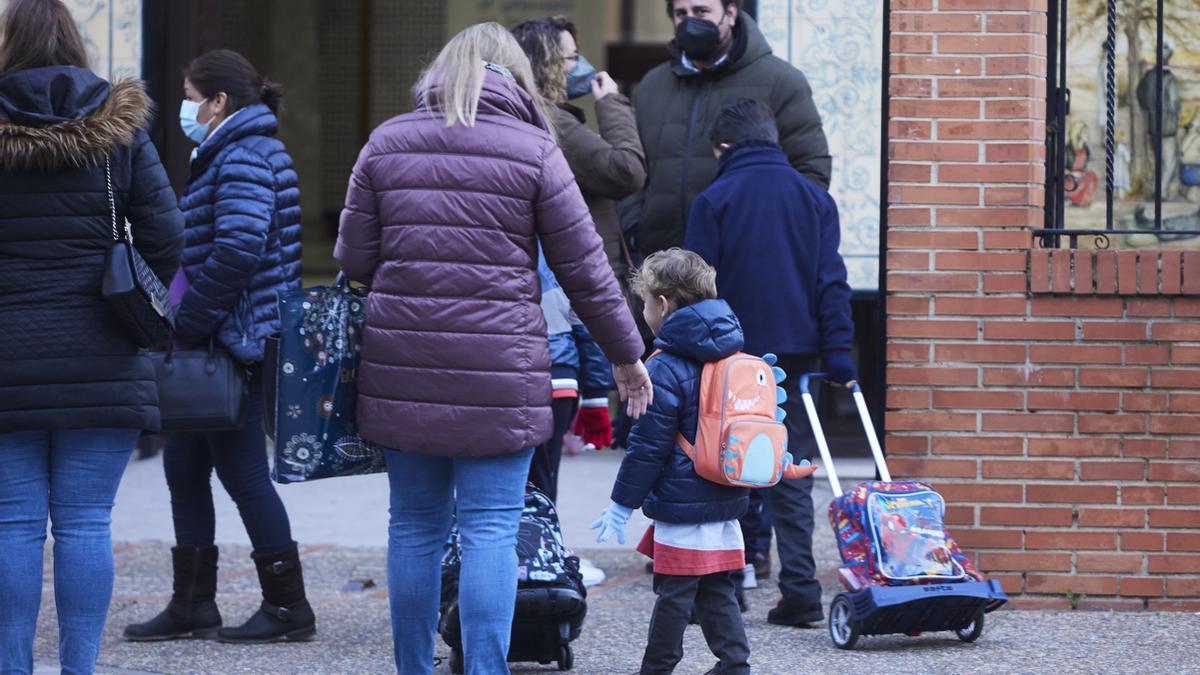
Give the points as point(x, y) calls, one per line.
point(721, 619)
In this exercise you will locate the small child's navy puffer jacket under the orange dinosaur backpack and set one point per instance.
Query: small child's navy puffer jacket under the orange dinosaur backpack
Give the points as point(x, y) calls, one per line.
point(656, 474)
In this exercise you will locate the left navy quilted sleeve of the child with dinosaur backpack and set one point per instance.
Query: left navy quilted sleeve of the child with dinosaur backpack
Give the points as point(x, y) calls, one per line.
point(653, 438)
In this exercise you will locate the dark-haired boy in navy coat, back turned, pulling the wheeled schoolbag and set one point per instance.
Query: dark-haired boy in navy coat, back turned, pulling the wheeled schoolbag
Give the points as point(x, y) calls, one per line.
point(773, 237)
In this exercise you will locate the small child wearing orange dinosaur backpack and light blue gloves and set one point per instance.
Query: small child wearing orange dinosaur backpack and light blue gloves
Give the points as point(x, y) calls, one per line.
point(711, 433)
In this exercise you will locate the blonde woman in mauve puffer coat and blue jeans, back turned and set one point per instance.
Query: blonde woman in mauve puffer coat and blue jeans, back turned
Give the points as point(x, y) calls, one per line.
point(443, 217)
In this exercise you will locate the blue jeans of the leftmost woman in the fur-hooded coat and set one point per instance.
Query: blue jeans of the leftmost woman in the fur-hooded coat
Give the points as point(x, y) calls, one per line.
point(71, 477)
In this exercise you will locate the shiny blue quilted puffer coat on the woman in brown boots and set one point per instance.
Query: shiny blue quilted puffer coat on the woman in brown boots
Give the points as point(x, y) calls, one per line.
point(243, 211)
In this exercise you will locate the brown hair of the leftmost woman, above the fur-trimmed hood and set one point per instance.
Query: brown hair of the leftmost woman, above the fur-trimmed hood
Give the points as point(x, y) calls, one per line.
point(39, 34)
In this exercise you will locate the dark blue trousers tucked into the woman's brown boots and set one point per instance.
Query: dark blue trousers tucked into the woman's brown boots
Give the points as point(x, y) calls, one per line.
point(241, 462)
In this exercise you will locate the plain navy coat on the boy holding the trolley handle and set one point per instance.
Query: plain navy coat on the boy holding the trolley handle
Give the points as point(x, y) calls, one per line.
point(773, 237)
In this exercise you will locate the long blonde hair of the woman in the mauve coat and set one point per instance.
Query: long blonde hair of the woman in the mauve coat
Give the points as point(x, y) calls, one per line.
point(459, 71)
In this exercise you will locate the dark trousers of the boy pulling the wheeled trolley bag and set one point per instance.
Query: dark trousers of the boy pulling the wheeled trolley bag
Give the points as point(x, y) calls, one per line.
point(791, 501)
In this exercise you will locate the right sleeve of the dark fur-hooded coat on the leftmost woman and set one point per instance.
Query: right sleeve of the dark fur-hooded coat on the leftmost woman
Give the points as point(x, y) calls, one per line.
point(153, 212)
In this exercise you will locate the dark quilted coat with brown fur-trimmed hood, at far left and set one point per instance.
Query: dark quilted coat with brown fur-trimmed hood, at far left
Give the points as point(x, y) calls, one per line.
point(69, 362)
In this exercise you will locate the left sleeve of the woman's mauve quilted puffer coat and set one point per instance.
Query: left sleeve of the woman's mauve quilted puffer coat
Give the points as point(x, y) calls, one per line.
point(358, 235)
